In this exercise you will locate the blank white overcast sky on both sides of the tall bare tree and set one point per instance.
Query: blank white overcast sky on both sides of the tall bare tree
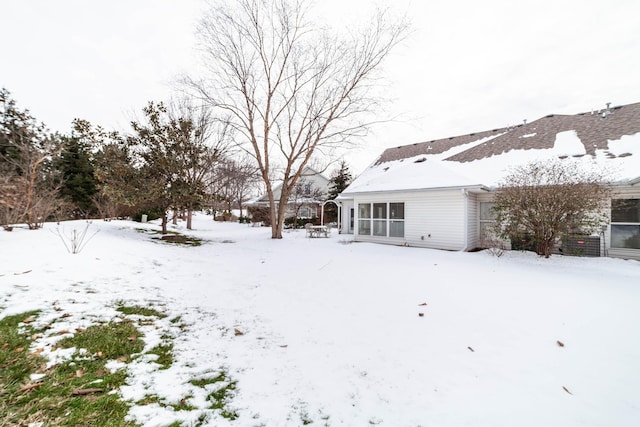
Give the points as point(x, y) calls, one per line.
point(468, 65)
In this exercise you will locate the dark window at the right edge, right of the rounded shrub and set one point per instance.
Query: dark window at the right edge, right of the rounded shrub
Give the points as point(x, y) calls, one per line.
point(625, 223)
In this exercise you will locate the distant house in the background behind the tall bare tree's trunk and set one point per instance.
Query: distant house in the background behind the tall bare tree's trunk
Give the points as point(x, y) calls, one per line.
point(306, 199)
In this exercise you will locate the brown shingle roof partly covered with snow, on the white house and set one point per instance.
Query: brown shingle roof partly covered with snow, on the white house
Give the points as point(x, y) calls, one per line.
point(608, 138)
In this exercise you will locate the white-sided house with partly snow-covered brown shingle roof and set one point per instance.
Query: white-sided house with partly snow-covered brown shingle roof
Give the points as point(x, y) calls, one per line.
point(438, 194)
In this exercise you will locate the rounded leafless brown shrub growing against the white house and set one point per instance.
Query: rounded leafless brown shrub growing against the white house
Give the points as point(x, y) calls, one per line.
point(546, 200)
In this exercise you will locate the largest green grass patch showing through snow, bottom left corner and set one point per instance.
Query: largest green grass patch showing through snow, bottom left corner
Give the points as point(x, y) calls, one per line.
point(58, 398)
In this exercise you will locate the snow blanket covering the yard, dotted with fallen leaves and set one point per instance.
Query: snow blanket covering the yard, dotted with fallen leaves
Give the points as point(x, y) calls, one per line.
point(330, 333)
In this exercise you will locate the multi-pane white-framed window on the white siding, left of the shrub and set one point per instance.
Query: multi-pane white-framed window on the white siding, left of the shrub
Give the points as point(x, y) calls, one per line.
point(381, 219)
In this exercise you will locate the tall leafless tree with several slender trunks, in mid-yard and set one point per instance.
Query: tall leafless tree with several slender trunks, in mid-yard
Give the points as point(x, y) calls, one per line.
point(292, 90)
